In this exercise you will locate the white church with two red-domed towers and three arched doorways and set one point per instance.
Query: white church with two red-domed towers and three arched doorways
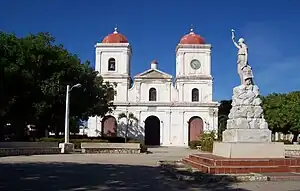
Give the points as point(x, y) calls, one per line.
point(169, 111)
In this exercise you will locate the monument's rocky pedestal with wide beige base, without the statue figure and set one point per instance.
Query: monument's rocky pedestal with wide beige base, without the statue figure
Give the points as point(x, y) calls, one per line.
point(247, 134)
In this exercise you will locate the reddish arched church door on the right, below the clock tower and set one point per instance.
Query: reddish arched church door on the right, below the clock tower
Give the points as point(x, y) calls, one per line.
point(195, 128)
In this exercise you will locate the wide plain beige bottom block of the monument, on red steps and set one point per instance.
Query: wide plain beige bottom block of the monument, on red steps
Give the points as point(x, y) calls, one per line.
point(249, 150)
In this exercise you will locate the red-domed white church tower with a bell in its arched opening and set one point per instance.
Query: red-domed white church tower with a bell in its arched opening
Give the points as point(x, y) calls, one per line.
point(113, 57)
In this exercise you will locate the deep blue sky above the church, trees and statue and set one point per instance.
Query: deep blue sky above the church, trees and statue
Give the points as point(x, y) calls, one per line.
point(271, 29)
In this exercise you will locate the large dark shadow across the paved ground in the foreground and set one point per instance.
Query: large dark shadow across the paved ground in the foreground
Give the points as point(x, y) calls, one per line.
point(93, 177)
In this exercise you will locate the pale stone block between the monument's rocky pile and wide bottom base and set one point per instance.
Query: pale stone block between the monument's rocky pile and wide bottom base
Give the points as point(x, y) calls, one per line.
point(247, 135)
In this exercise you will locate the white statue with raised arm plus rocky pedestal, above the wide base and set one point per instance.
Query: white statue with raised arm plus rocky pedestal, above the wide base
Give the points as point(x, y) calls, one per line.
point(245, 120)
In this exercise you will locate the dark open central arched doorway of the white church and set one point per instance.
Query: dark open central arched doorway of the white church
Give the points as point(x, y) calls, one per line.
point(152, 130)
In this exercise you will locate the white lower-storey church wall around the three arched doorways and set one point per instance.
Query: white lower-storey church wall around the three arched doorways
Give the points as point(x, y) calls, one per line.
point(173, 123)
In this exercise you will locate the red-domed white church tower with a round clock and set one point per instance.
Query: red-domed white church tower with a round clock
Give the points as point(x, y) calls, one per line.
point(193, 69)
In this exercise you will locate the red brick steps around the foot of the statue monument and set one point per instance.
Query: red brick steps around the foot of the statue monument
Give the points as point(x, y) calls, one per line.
point(211, 164)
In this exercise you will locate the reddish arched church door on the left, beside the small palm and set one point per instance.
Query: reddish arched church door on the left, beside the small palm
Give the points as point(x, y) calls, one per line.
point(109, 126)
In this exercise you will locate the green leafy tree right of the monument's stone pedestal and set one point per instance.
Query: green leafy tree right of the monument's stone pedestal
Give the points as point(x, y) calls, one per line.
point(282, 112)
